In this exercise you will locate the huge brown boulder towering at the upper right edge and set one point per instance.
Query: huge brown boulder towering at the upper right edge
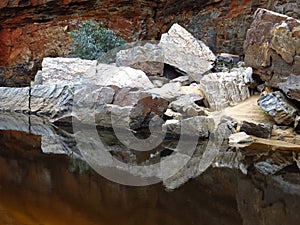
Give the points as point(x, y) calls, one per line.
point(272, 49)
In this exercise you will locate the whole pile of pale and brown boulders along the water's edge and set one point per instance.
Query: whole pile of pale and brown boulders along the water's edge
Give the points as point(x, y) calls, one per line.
point(176, 81)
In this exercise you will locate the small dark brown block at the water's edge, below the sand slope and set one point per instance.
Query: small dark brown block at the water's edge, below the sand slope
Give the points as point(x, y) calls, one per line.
point(258, 130)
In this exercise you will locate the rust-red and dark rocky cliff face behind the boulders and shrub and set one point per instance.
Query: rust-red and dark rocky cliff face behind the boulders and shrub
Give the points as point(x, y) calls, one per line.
point(33, 29)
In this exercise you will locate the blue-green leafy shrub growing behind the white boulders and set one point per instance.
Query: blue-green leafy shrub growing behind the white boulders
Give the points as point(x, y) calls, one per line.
point(92, 40)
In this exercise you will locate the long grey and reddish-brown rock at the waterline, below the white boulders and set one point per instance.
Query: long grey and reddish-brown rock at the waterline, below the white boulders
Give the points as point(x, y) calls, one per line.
point(126, 109)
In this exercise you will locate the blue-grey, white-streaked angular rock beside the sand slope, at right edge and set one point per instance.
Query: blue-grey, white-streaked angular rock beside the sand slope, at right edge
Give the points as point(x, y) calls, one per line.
point(278, 106)
